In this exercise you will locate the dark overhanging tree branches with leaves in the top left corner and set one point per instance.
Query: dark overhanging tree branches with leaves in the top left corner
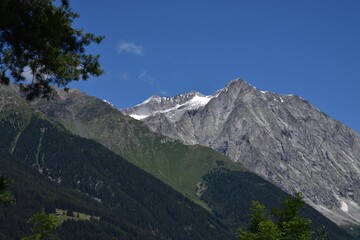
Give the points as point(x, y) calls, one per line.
point(37, 36)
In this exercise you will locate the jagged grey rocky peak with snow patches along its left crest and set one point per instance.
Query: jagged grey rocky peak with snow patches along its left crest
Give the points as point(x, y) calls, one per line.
point(283, 138)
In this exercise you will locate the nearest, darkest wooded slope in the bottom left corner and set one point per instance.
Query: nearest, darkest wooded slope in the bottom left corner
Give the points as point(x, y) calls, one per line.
point(34, 193)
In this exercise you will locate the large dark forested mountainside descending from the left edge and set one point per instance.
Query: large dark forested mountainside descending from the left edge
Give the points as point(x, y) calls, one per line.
point(53, 168)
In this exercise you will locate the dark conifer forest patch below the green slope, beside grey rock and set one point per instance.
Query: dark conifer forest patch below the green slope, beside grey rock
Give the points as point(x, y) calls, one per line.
point(230, 194)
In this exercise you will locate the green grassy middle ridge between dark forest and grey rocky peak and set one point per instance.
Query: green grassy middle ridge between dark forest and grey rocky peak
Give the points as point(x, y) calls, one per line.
point(181, 167)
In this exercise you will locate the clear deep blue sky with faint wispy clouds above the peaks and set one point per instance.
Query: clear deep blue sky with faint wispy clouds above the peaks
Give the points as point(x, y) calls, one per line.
point(169, 47)
